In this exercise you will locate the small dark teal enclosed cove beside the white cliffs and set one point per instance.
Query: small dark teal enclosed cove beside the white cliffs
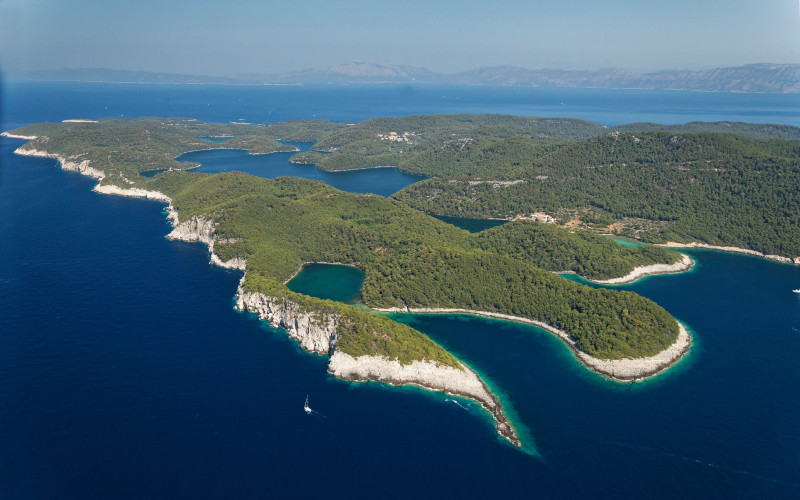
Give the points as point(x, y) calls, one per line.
point(329, 281)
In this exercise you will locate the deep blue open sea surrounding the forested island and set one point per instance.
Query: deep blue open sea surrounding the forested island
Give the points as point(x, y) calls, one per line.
point(126, 373)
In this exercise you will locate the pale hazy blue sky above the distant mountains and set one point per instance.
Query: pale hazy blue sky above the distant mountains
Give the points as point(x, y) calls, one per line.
point(269, 36)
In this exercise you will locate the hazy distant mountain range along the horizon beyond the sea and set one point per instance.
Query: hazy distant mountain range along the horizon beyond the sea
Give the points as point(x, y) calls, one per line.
point(763, 77)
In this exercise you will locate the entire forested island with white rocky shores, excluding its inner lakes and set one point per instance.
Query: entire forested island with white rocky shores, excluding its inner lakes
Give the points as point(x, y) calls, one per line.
point(479, 165)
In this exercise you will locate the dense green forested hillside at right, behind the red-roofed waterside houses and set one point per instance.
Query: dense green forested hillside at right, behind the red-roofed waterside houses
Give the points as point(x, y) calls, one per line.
point(717, 188)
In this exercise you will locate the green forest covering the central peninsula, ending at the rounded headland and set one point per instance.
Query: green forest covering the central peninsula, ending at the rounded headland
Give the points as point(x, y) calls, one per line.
point(409, 259)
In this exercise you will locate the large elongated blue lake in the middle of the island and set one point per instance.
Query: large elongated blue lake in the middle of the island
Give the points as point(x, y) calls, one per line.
point(383, 181)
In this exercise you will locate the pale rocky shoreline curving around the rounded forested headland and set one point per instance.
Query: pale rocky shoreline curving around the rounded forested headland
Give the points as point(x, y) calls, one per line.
point(622, 370)
